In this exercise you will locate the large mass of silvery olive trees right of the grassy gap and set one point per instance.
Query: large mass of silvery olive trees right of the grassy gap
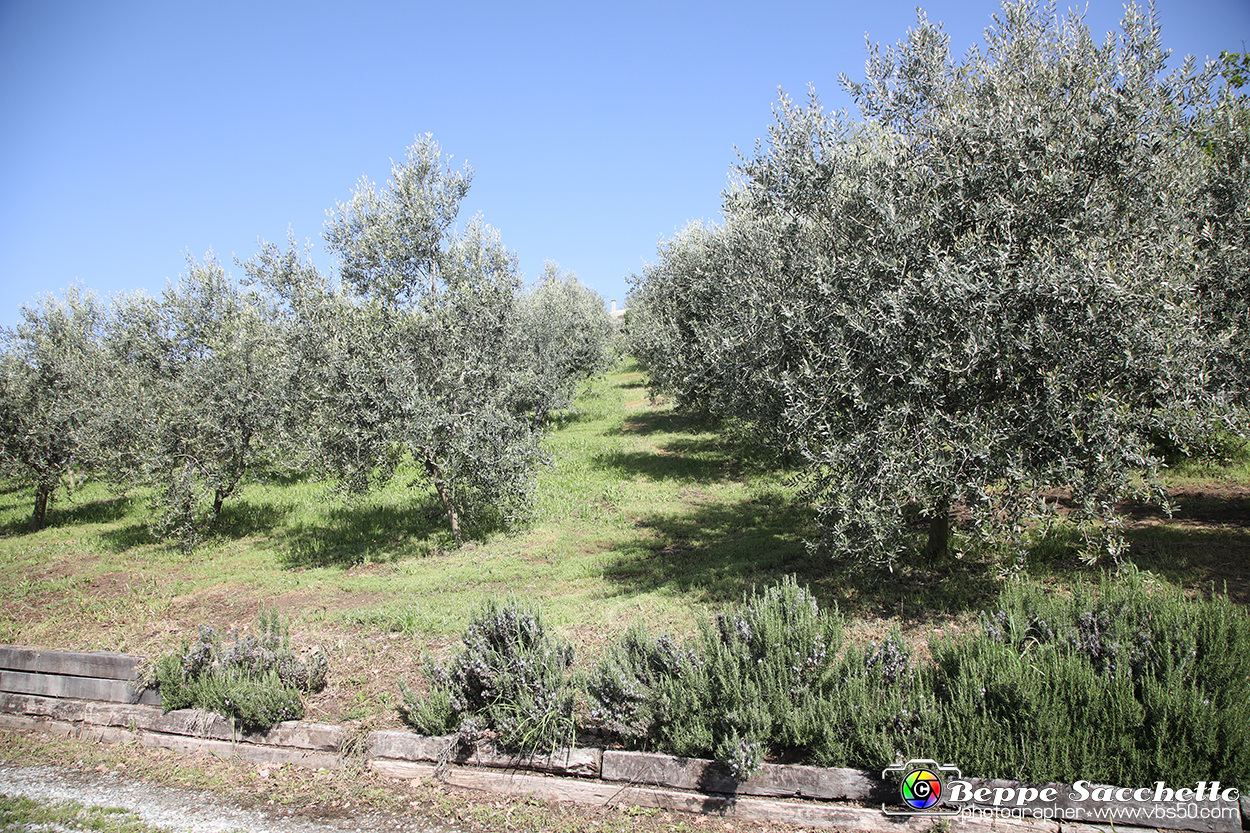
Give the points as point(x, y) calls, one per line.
point(1016, 276)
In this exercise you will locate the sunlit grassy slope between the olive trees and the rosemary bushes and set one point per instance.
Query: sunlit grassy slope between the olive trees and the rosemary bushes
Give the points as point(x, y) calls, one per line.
point(646, 515)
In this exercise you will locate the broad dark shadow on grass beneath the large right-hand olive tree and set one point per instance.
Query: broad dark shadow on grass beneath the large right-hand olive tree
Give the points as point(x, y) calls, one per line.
point(722, 552)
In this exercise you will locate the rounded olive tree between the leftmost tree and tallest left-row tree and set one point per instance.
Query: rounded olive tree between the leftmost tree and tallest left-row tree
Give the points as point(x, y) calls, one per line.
point(198, 392)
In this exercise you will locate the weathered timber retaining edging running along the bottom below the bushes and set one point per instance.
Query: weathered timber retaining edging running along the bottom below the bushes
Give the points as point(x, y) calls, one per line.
point(99, 697)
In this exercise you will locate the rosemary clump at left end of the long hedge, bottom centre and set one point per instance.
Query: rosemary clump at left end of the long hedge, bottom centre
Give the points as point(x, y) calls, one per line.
point(751, 684)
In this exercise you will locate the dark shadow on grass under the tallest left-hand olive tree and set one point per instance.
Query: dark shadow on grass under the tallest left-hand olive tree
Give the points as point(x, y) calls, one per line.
point(354, 535)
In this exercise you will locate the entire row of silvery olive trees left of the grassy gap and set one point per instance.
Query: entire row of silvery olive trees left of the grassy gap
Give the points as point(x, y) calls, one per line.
point(426, 347)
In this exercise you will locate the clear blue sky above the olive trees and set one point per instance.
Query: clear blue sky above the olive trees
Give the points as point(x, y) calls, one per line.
point(133, 133)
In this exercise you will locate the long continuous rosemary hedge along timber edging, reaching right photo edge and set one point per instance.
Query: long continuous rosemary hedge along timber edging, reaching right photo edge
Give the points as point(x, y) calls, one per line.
point(1131, 684)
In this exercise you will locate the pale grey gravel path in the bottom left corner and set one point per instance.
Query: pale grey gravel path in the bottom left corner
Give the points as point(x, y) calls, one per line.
point(182, 810)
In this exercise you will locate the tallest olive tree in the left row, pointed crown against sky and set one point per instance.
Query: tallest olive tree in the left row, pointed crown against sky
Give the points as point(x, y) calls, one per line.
point(417, 353)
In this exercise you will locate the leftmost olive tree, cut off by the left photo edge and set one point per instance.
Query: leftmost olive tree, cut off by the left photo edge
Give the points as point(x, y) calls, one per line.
point(49, 368)
